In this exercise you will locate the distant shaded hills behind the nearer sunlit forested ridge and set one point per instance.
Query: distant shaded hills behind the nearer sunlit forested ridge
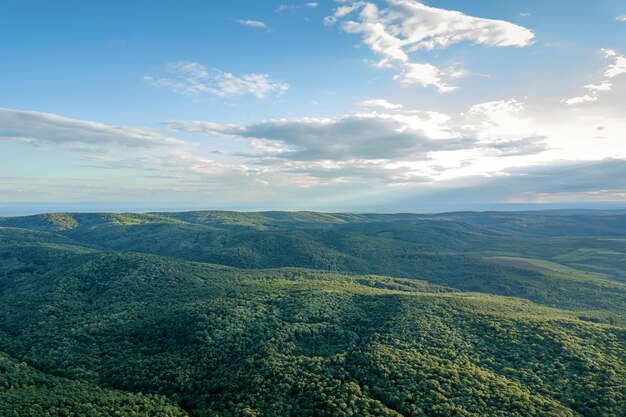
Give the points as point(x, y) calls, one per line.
point(442, 251)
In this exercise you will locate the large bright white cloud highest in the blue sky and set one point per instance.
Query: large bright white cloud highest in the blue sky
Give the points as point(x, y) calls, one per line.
point(407, 26)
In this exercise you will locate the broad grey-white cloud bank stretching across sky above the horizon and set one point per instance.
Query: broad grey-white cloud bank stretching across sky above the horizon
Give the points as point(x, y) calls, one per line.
point(498, 151)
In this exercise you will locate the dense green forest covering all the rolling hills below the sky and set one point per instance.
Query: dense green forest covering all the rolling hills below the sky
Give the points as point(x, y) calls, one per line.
point(131, 315)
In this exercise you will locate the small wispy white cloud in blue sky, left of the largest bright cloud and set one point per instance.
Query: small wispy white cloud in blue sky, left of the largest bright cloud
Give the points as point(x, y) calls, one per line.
point(191, 78)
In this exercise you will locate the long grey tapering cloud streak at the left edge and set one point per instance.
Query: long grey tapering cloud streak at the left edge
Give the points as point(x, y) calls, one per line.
point(37, 127)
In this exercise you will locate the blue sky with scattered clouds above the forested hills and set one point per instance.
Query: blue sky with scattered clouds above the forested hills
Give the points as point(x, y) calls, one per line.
point(390, 105)
